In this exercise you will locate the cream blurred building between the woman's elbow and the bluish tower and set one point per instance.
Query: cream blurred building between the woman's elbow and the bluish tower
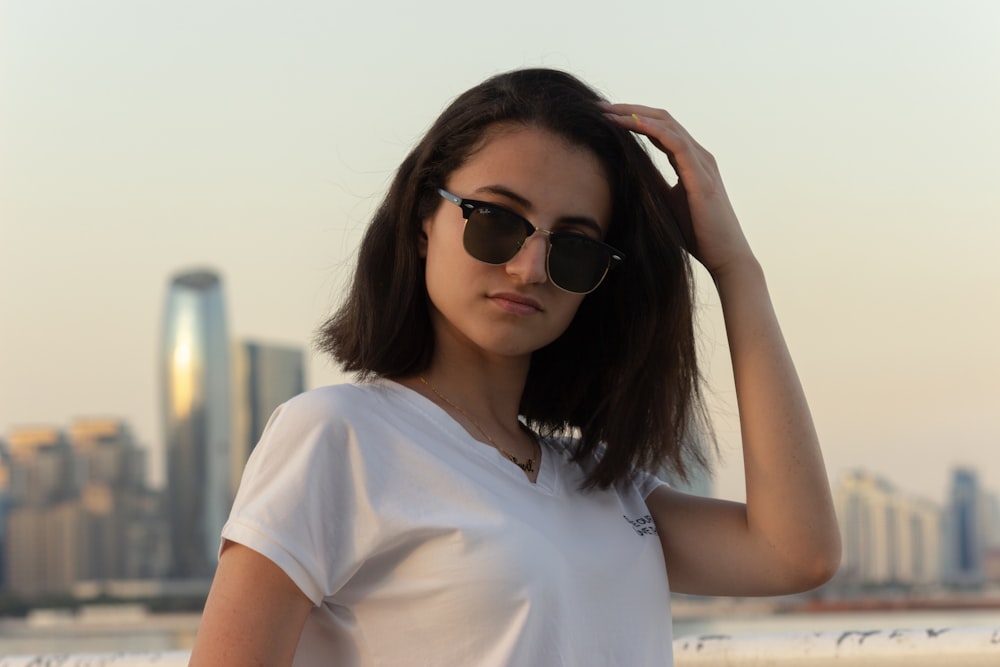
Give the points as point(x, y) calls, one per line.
point(888, 537)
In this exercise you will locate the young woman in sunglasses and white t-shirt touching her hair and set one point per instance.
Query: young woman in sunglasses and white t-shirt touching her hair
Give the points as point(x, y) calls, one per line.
point(521, 324)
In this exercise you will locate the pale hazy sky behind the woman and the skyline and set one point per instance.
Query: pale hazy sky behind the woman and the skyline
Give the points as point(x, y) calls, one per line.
point(859, 141)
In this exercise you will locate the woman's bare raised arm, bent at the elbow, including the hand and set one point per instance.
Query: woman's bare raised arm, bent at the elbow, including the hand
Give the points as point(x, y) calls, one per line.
point(785, 538)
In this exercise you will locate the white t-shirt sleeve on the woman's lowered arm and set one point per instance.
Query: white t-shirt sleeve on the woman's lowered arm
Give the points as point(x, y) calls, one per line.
point(298, 504)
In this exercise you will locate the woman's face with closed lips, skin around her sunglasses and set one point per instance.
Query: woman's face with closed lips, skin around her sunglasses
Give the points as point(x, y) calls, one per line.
point(512, 309)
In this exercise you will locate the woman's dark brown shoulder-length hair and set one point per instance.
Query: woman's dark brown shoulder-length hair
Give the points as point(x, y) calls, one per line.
point(624, 374)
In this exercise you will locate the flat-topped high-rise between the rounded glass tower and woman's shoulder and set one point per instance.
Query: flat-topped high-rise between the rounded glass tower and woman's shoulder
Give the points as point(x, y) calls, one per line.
point(264, 377)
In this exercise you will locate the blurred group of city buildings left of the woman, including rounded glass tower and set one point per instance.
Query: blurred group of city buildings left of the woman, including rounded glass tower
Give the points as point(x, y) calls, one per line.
point(79, 509)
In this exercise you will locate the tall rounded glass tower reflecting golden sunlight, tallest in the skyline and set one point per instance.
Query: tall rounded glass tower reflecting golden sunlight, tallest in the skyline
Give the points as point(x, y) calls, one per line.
point(196, 409)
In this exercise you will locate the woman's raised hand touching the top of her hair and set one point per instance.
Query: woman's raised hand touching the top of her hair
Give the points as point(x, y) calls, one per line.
point(699, 199)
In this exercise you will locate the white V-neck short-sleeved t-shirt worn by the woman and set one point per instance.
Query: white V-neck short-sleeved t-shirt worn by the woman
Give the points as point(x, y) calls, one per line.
point(420, 545)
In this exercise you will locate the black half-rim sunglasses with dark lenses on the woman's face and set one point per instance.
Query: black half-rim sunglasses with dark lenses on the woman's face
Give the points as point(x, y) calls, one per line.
point(494, 234)
